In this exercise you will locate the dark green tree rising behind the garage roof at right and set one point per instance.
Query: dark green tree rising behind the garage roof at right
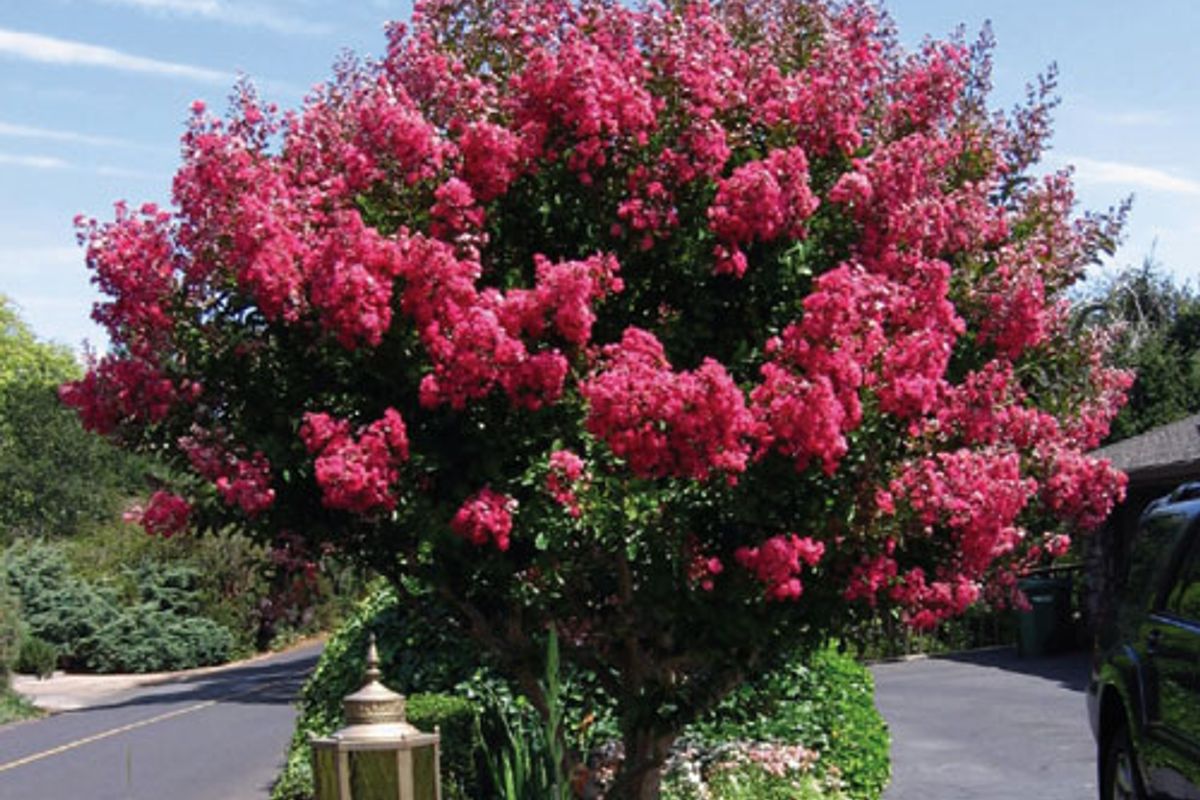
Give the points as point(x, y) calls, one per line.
point(1157, 324)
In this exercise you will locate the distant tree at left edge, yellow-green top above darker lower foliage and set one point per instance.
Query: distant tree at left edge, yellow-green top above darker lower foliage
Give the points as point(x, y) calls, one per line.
point(56, 478)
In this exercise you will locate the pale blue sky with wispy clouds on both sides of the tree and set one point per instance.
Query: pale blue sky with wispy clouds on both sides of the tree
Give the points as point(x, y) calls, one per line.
point(94, 94)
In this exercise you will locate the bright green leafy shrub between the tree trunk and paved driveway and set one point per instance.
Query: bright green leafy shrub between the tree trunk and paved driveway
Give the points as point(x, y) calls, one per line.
point(825, 703)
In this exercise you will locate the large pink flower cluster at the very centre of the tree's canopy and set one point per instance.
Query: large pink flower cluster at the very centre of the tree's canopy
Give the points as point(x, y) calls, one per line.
point(667, 423)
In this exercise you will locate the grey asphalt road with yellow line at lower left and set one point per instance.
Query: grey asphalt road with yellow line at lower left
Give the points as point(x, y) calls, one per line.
point(217, 737)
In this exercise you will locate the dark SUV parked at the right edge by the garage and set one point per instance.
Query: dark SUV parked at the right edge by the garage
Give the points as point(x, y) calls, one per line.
point(1144, 697)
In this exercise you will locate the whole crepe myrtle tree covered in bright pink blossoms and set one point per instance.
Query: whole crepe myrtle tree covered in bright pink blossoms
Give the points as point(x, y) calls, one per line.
point(689, 330)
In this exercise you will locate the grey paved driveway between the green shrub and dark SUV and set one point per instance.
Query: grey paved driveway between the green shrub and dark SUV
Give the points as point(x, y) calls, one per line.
point(988, 726)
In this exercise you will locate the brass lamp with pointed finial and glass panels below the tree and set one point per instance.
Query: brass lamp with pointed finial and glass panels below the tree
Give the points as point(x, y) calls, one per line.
point(379, 755)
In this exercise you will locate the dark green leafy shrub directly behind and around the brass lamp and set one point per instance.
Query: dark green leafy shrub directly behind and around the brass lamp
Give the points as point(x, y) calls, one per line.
point(419, 649)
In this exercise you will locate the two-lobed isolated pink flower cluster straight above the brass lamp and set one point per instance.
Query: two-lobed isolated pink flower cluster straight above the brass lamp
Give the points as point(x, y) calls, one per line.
point(357, 474)
